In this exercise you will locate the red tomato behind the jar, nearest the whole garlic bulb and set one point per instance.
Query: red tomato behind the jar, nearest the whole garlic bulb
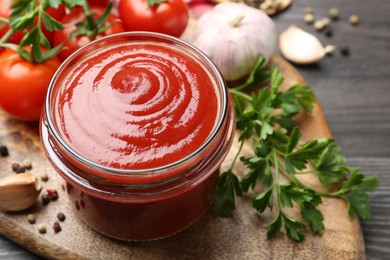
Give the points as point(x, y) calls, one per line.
point(169, 17)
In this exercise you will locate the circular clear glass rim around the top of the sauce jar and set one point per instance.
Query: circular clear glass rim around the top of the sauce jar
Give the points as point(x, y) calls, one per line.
point(152, 37)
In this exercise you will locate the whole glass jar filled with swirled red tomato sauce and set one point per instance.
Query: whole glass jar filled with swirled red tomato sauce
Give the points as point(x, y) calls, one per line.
point(138, 125)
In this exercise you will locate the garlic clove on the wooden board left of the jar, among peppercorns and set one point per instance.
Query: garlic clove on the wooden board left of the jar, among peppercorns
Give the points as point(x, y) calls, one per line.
point(18, 192)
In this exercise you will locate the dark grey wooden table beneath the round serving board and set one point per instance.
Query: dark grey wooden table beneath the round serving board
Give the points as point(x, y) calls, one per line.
point(355, 94)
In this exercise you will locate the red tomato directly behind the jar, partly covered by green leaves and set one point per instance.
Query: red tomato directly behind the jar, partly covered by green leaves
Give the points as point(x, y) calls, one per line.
point(75, 16)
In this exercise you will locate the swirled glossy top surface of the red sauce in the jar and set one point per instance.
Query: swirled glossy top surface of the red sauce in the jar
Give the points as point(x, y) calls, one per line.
point(136, 106)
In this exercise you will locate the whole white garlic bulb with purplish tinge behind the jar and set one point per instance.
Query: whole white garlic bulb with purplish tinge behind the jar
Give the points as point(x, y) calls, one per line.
point(233, 35)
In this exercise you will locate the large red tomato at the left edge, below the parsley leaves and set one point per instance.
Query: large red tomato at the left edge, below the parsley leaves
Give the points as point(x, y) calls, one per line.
point(24, 84)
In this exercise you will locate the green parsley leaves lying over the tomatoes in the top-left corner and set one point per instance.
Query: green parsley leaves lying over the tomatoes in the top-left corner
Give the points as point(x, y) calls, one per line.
point(30, 16)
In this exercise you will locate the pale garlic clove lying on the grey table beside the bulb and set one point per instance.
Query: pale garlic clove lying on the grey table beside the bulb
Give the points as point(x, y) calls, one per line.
point(300, 47)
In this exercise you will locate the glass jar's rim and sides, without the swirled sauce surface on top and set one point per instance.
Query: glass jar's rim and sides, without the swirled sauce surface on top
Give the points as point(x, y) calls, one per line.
point(139, 204)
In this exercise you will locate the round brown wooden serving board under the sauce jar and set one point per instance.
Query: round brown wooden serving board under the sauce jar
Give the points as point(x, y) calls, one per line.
point(240, 236)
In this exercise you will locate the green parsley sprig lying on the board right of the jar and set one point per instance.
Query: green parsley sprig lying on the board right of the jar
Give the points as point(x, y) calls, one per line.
point(265, 118)
